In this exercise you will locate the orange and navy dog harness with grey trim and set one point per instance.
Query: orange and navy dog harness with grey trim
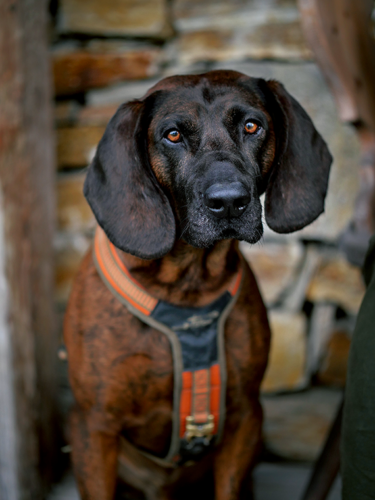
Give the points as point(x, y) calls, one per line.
point(199, 389)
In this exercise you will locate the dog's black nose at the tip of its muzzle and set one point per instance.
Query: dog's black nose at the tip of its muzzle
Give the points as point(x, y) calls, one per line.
point(227, 199)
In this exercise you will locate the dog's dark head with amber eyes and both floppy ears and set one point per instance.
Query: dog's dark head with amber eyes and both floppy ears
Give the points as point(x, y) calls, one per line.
point(191, 158)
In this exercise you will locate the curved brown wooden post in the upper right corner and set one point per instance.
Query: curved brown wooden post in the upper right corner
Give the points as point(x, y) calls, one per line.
point(340, 33)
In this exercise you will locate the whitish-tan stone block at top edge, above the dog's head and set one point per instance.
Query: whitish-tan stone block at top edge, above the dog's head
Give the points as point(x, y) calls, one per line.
point(219, 31)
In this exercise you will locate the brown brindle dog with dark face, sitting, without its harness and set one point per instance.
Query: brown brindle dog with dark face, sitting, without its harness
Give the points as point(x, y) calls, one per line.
point(175, 184)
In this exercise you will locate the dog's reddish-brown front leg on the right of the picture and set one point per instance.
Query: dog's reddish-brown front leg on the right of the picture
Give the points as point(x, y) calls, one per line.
point(238, 452)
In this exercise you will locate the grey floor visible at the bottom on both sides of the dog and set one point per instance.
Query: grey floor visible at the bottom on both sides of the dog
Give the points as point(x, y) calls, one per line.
point(272, 482)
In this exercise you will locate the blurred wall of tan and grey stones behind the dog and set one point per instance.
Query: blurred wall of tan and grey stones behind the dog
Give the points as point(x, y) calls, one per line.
point(105, 53)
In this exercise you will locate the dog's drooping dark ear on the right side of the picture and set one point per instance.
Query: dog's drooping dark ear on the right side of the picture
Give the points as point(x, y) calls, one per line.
point(298, 180)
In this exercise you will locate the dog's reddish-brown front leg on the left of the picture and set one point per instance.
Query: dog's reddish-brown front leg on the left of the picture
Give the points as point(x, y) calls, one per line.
point(94, 453)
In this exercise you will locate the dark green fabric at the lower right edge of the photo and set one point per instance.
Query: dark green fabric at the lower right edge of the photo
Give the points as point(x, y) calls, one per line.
point(358, 433)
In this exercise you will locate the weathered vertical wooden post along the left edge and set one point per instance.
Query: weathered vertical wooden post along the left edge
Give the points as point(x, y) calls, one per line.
point(28, 339)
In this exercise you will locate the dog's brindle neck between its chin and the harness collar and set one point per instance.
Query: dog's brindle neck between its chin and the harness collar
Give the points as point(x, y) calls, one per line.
point(187, 275)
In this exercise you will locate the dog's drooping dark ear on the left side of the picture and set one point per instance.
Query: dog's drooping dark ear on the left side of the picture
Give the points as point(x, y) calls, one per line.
point(123, 192)
